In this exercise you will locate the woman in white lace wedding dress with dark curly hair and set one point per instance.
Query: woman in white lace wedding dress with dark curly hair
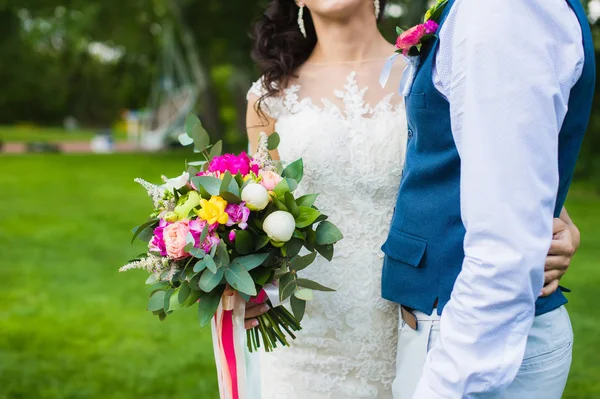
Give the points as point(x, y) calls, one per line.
point(321, 60)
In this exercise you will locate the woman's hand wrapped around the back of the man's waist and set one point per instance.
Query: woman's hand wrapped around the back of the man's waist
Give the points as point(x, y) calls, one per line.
point(564, 245)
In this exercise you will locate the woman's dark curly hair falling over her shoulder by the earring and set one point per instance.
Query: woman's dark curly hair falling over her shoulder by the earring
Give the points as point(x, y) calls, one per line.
point(279, 47)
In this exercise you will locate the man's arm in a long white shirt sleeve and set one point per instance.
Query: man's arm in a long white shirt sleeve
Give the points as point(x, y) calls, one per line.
point(507, 68)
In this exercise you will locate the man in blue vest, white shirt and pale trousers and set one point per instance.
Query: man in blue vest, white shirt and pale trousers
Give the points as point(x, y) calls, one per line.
point(497, 113)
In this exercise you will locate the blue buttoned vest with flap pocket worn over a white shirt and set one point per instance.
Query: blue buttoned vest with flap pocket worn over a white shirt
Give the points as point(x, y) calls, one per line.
point(424, 249)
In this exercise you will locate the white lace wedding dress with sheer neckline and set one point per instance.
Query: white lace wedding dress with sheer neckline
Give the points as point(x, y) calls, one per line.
point(351, 134)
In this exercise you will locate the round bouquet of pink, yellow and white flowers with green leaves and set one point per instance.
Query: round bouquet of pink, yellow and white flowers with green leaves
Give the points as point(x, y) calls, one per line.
point(230, 230)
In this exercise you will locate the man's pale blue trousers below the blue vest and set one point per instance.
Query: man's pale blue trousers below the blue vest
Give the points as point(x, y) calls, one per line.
point(543, 373)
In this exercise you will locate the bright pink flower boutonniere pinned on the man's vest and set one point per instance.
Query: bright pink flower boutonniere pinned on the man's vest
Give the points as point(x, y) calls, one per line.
point(411, 40)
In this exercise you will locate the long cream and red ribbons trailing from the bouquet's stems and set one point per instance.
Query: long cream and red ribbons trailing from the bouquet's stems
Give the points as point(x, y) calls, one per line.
point(229, 337)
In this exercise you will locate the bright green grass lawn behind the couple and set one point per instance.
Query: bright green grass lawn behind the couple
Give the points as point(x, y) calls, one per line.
point(72, 327)
